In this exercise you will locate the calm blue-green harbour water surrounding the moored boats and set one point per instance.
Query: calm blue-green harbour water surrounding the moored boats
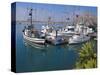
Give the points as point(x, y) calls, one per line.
point(41, 58)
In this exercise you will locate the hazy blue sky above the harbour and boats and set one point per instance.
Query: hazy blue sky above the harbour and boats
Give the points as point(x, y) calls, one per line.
point(41, 12)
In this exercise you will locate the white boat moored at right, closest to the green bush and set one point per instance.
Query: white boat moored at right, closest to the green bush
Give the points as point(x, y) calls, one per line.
point(81, 34)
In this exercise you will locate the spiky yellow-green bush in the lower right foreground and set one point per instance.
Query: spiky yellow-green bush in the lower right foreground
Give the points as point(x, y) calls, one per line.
point(87, 56)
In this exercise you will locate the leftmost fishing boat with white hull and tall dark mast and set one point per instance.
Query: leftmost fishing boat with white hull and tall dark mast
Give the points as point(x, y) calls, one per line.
point(31, 34)
